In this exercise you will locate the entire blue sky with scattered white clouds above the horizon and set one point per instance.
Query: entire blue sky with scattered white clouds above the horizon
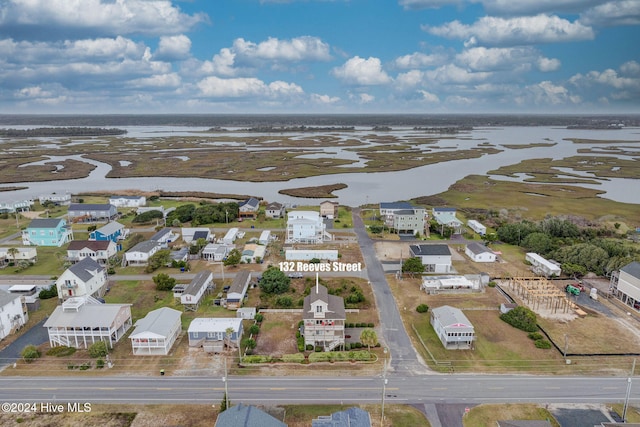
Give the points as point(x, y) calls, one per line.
point(319, 56)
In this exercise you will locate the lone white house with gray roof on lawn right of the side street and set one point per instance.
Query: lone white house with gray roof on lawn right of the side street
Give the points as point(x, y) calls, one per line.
point(453, 328)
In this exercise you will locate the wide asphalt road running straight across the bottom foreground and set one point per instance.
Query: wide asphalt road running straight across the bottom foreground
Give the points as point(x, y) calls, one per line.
point(417, 390)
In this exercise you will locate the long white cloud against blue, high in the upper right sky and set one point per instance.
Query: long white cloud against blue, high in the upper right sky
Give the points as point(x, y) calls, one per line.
point(526, 30)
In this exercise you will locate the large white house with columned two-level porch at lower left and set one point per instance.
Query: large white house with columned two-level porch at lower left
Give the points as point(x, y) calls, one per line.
point(82, 321)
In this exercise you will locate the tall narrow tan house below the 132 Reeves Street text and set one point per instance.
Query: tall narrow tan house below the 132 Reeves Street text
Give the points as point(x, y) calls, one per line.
point(324, 317)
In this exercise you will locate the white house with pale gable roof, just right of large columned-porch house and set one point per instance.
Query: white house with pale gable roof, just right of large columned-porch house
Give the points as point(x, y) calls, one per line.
point(156, 333)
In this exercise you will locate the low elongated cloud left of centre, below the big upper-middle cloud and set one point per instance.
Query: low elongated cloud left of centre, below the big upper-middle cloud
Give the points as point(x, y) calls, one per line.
point(245, 87)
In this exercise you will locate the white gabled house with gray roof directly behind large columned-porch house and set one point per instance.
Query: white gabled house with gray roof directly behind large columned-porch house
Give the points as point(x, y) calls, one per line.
point(86, 277)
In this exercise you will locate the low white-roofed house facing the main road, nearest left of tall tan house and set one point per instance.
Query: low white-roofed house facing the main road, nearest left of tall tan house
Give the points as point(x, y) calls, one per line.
point(211, 333)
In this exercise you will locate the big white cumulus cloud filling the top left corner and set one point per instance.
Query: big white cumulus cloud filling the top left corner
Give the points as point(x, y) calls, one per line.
point(65, 17)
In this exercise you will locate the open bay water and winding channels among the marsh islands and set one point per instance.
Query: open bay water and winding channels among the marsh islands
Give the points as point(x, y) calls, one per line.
point(362, 187)
